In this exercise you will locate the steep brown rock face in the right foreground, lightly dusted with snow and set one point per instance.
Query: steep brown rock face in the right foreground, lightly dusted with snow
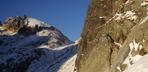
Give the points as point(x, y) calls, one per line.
point(111, 27)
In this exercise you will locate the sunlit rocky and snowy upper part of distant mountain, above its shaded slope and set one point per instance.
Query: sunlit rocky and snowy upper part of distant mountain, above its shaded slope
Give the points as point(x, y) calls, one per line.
point(28, 26)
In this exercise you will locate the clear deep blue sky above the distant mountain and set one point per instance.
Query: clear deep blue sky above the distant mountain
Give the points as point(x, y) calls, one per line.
point(67, 15)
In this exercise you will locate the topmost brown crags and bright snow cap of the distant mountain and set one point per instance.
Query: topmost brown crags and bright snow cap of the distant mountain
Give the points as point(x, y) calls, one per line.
point(17, 22)
